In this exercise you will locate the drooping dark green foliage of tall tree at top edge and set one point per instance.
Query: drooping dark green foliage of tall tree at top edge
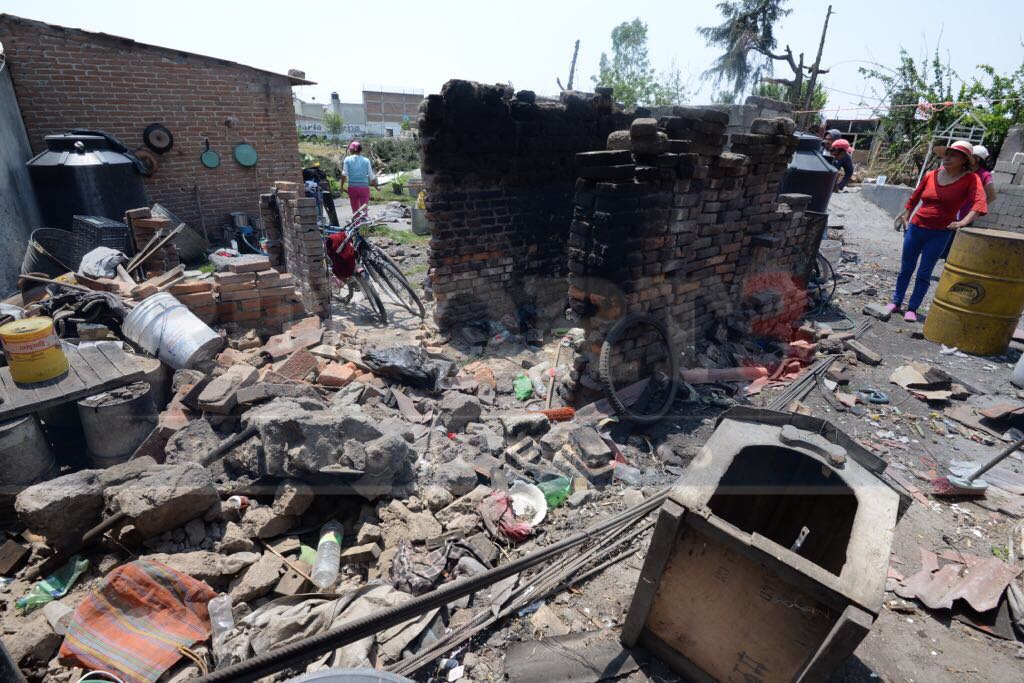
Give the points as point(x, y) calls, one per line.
point(747, 36)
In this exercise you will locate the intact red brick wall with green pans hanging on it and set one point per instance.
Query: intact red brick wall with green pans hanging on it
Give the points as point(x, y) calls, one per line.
point(68, 79)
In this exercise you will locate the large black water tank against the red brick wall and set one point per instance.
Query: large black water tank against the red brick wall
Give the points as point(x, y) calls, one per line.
point(82, 175)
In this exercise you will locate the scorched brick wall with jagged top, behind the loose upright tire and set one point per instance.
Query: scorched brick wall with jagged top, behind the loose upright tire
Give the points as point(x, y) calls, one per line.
point(669, 225)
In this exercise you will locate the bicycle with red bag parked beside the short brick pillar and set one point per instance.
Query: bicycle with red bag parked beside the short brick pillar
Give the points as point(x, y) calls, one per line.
point(376, 273)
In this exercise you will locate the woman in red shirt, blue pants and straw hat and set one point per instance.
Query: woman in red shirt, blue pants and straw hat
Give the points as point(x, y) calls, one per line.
point(942, 194)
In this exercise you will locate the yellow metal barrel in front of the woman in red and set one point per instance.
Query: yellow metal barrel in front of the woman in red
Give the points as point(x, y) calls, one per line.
point(982, 292)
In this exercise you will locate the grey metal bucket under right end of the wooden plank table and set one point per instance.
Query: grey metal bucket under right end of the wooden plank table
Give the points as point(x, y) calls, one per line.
point(117, 422)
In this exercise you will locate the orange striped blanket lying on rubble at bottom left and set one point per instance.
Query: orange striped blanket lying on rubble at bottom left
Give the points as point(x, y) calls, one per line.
point(135, 622)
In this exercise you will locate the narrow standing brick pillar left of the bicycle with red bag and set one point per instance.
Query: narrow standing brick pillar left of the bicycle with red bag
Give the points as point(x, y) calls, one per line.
point(303, 246)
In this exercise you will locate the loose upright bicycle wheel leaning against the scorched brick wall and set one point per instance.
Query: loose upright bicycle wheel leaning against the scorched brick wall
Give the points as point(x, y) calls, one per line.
point(638, 369)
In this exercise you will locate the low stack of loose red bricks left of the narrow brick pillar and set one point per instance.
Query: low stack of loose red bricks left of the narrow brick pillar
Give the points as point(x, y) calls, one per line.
point(252, 295)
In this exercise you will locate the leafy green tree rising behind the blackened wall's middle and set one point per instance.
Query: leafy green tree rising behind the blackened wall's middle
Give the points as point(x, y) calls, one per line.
point(629, 73)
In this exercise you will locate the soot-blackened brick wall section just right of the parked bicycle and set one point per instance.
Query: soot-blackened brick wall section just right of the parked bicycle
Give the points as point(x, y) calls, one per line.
point(499, 174)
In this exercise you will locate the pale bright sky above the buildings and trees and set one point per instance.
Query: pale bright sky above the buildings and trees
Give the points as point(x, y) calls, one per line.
point(345, 47)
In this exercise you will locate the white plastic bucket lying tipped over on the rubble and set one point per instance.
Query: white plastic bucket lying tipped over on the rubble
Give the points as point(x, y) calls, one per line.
point(165, 328)
